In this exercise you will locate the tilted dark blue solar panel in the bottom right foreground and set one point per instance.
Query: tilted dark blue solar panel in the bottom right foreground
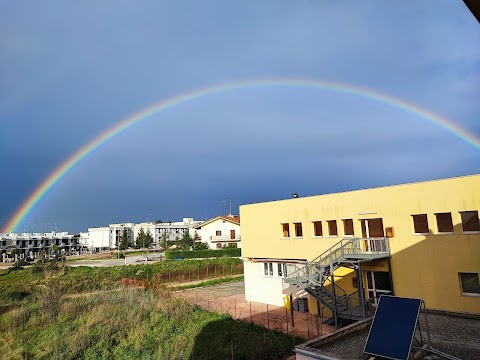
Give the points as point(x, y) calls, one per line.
point(393, 327)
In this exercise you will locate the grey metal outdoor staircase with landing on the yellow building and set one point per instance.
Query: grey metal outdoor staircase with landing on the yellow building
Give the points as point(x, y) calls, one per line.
point(315, 277)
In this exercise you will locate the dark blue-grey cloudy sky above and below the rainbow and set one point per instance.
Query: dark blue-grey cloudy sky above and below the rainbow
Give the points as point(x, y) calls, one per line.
point(69, 71)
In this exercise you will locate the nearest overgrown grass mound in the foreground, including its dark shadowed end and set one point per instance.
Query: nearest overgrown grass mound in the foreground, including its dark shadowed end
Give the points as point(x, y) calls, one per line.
point(130, 324)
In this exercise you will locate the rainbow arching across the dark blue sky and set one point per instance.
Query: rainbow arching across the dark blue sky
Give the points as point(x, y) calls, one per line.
point(47, 184)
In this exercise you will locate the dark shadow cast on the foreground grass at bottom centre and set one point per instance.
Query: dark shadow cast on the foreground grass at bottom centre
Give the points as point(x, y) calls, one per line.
point(233, 339)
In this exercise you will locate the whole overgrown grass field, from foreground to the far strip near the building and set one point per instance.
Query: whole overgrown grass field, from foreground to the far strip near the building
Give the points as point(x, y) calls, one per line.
point(37, 320)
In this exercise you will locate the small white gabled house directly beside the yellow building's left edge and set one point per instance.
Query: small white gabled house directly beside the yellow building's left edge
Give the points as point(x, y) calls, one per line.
point(220, 232)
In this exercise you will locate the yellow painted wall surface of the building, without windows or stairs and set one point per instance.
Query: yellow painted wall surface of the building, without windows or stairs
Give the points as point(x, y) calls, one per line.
point(423, 266)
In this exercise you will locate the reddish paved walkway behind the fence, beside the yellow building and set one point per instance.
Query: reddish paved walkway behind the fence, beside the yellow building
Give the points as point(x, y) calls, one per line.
point(230, 298)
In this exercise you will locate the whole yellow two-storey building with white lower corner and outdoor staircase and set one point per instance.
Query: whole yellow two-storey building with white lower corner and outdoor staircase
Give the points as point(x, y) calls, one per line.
point(419, 240)
